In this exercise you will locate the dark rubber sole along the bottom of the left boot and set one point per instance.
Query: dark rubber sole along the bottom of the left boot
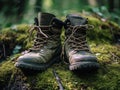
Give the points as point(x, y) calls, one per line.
point(43, 66)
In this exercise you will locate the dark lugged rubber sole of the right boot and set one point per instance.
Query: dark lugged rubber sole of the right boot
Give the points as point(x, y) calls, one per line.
point(85, 66)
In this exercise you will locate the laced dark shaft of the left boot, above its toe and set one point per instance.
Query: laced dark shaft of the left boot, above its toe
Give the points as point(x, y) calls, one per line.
point(48, 30)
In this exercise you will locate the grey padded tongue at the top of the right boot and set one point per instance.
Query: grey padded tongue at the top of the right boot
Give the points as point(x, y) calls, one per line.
point(76, 19)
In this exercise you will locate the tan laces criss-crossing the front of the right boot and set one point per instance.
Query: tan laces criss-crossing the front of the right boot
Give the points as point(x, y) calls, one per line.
point(77, 40)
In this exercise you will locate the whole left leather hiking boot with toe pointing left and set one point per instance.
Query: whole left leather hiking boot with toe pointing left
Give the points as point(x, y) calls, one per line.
point(47, 44)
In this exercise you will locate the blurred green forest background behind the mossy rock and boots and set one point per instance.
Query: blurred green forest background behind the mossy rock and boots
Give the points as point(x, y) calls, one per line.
point(23, 11)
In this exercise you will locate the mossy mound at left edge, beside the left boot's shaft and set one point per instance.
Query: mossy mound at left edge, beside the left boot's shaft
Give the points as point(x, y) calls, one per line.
point(15, 35)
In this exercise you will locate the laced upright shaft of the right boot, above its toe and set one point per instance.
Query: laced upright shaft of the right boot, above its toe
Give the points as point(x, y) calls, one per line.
point(76, 32)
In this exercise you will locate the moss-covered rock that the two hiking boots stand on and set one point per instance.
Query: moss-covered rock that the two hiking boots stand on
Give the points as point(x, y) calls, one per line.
point(102, 44)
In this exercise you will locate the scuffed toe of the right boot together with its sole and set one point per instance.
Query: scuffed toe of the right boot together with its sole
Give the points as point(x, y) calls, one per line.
point(83, 62)
